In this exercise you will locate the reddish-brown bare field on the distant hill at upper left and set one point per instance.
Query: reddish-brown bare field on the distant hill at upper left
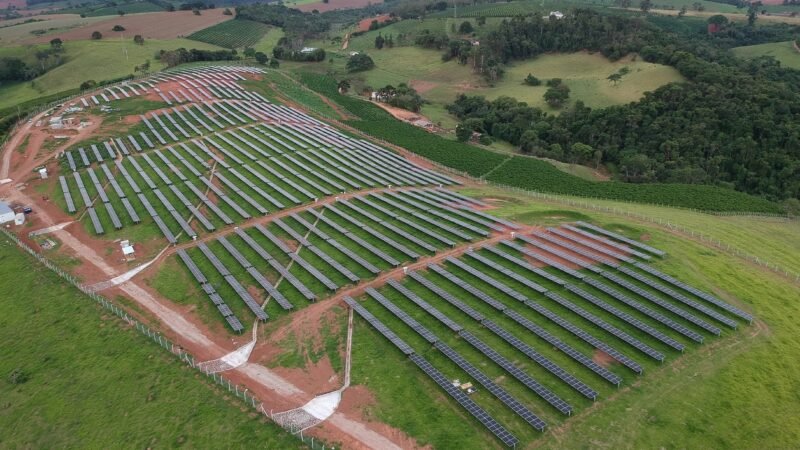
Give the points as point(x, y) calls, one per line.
point(157, 25)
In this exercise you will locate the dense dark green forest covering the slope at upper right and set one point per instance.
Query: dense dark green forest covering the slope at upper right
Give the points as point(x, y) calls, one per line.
point(734, 123)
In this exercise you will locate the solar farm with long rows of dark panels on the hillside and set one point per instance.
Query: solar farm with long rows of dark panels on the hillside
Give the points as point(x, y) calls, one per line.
point(270, 210)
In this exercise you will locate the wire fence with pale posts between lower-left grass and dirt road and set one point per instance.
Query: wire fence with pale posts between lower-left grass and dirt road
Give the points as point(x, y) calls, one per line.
point(176, 350)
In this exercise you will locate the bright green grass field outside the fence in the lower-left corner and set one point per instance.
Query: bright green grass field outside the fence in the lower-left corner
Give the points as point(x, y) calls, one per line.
point(94, 382)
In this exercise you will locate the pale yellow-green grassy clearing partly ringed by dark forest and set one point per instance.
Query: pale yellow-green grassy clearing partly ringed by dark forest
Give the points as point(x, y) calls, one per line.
point(440, 82)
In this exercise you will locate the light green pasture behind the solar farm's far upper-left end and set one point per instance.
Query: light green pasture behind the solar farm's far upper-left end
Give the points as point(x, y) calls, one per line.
point(84, 61)
